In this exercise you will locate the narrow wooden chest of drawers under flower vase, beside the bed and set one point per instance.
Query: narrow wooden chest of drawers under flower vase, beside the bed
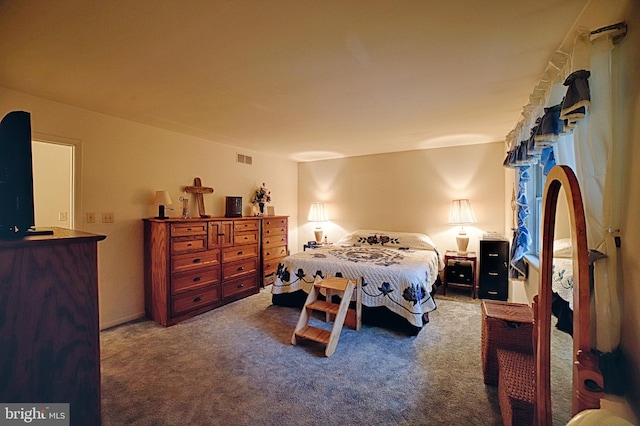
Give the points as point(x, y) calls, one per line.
point(275, 231)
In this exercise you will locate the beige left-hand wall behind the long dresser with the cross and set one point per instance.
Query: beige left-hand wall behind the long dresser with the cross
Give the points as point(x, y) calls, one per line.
point(122, 164)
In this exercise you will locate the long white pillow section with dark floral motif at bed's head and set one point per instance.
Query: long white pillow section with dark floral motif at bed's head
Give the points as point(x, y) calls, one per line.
point(388, 238)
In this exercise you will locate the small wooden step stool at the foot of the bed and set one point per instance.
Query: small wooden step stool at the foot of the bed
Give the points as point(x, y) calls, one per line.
point(339, 313)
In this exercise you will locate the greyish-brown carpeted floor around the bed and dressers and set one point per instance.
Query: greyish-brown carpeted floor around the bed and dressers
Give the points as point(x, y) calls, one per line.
point(236, 366)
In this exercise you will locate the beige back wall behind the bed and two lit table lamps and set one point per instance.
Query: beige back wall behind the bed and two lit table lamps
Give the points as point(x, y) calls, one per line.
point(406, 191)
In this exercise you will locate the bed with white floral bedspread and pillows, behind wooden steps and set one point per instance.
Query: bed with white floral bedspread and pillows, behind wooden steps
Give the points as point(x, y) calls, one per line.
point(399, 270)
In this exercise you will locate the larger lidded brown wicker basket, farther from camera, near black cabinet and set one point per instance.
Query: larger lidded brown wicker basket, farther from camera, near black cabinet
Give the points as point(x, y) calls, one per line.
point(504, 326)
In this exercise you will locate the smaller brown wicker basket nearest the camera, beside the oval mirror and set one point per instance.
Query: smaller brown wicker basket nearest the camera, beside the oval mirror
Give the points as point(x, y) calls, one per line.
point(516, 387)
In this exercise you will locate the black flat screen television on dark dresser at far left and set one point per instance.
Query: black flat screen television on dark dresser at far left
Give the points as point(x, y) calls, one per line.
point(17, 215)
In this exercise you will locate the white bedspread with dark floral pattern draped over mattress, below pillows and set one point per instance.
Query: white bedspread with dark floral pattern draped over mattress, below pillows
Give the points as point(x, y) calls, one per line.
point(399, 279)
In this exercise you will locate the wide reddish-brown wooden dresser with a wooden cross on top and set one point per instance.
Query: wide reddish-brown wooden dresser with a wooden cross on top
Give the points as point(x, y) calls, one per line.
point(194, 265)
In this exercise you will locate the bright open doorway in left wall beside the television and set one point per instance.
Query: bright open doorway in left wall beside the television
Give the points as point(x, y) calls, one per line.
point(53, 184)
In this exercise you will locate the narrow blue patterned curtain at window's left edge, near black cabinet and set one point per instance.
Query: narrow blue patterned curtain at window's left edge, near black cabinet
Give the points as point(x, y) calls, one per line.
point(521, 237)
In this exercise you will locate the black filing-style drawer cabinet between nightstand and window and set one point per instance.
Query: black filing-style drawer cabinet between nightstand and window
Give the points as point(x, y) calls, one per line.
point(494, 269)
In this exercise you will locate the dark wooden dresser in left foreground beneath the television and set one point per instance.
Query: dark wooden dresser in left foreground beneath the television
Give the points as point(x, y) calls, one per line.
point(49, 325)
